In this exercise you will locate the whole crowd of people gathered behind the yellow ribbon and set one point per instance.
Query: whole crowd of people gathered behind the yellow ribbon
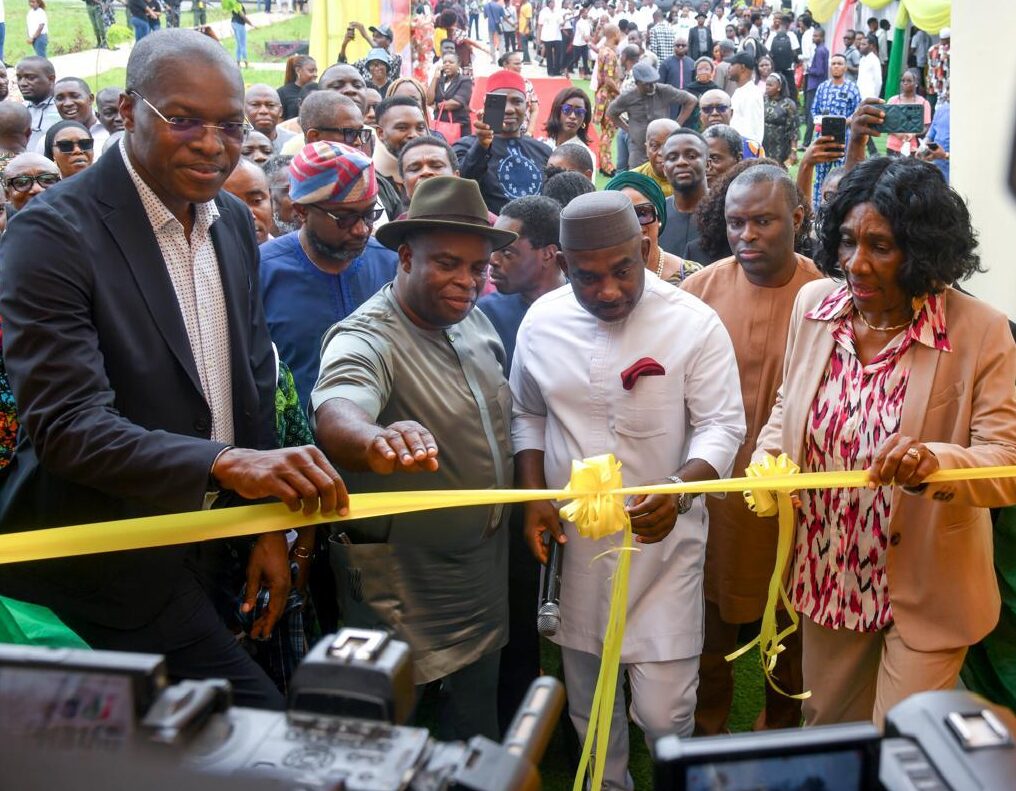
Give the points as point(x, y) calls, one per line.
point(213, 294)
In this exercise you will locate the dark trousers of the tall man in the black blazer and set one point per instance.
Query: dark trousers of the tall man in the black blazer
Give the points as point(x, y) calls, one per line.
point(197, 645)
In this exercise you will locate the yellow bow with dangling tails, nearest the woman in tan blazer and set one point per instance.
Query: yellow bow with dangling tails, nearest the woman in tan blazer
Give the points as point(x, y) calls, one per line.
point(766, 503)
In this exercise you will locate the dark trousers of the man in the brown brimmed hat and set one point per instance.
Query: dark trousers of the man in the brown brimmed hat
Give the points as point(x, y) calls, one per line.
point(470, 701)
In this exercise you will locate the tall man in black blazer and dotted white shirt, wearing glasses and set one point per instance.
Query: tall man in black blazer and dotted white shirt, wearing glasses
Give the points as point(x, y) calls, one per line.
point(144, 373)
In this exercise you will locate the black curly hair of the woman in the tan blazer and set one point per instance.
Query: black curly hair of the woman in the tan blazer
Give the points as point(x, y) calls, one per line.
point(930, 223)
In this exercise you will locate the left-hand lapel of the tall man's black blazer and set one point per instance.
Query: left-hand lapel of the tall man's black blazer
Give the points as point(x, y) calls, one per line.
point(132, 232)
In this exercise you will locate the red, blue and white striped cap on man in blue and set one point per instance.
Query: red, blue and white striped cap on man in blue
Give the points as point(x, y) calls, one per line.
point(332, 173)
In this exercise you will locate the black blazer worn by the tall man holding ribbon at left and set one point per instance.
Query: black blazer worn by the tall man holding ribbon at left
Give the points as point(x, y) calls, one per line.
point(114, 424)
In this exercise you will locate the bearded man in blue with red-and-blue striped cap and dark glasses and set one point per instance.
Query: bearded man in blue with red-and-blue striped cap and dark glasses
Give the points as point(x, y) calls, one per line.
point(319, 276)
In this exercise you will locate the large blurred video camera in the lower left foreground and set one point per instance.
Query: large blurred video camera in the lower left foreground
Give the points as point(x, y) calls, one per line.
point(343, 732)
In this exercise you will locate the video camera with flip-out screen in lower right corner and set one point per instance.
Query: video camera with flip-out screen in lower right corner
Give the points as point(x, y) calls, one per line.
point(934, 742)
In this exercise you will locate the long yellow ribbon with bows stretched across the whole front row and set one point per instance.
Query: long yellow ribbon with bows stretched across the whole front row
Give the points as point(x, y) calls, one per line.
point(597, 492)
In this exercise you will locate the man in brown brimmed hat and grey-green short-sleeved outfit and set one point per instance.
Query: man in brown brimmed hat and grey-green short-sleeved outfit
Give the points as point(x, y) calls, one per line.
point(413, 383)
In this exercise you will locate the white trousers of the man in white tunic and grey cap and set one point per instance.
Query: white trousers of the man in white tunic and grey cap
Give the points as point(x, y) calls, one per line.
point(663, 702)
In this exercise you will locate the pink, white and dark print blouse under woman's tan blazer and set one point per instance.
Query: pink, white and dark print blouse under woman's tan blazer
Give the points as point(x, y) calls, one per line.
point(840, 572)
